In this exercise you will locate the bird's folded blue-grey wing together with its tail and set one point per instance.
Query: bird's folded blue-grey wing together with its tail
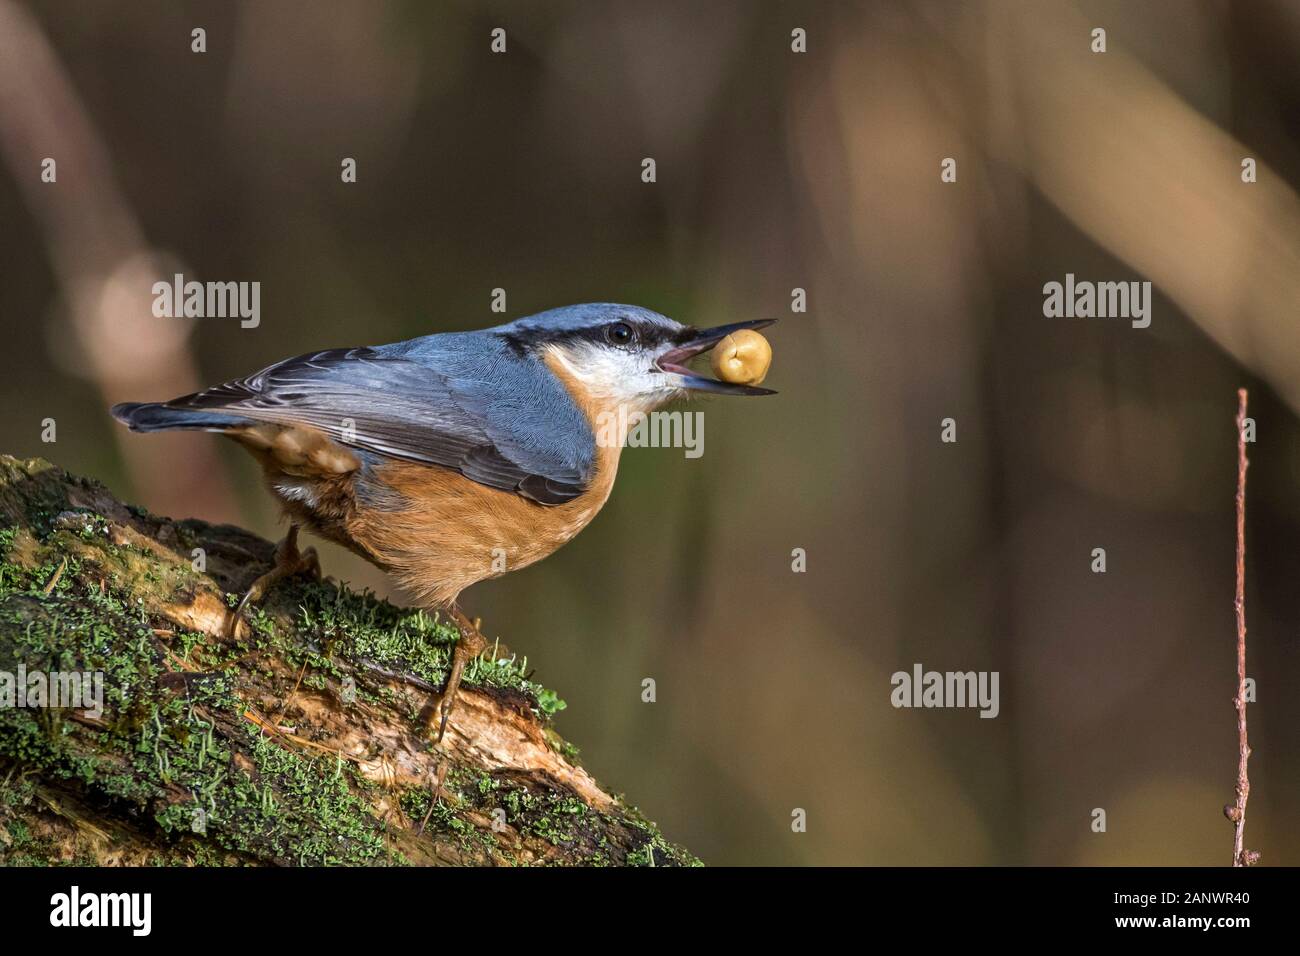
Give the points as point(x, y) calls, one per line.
point(496, 418)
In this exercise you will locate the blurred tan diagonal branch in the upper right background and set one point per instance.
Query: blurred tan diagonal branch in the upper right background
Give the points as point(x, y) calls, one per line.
point(1156, 183)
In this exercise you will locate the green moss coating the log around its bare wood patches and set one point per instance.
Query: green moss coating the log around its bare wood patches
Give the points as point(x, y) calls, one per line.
point(175, 755)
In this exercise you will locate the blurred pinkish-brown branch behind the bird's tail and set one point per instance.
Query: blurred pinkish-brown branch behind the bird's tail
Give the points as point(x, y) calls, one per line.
point(105, 267)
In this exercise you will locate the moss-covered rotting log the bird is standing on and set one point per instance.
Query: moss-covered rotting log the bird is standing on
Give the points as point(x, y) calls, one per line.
point(297, 742)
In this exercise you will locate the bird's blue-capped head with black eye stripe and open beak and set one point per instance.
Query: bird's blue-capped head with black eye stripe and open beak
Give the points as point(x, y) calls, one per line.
point(626, 354)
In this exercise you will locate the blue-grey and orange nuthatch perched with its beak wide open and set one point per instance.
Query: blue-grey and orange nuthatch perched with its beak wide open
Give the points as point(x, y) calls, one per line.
point(454, 457)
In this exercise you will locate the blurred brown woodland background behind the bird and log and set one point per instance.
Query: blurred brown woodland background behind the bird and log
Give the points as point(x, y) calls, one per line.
point(777, 171)
